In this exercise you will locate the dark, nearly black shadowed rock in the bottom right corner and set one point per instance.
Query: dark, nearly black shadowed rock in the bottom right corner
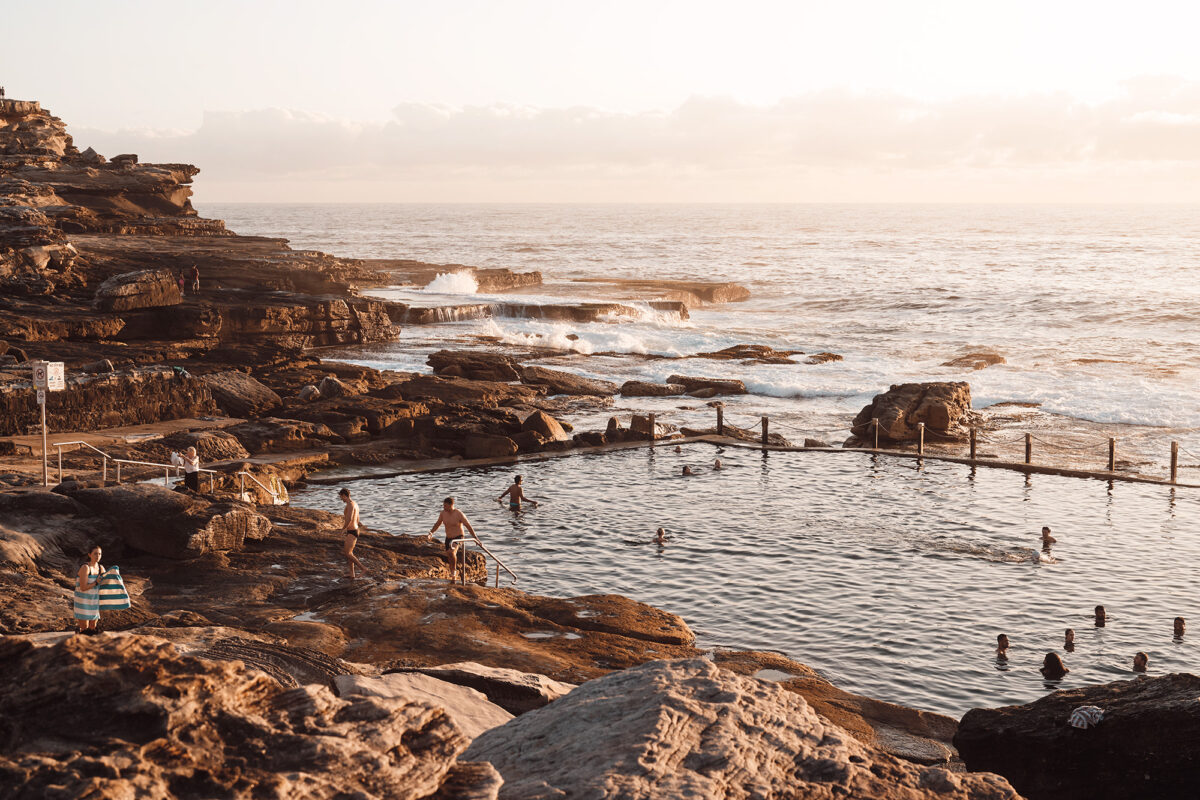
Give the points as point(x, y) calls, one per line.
point(1143, 748)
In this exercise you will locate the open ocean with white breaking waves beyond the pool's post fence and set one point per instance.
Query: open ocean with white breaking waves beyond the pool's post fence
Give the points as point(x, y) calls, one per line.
point(1094, 308)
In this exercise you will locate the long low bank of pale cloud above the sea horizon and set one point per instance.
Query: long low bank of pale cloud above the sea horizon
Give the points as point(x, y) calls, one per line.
point(827, 146)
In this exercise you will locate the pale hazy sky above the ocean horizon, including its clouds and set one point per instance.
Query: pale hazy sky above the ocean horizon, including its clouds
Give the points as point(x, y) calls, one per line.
point(562, 101)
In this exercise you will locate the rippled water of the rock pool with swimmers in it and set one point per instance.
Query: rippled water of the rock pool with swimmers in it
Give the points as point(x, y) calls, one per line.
point(890, 579)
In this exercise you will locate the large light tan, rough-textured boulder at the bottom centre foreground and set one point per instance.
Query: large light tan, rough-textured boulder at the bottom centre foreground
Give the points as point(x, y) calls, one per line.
point(676, 730)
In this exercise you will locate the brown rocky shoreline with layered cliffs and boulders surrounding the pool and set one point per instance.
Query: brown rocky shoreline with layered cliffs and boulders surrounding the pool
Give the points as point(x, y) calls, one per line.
point(247, 666)
